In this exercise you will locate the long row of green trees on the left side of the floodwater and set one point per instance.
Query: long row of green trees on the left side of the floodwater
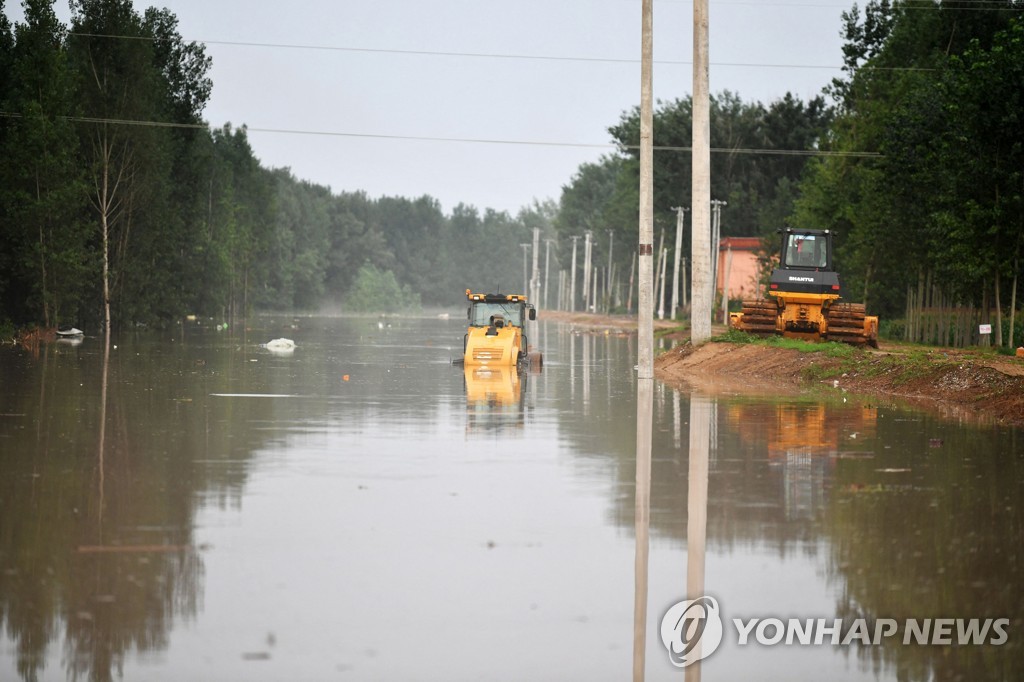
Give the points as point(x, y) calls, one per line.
point(119, 206)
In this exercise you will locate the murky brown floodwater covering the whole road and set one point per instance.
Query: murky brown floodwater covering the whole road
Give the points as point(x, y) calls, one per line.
point(202, 508)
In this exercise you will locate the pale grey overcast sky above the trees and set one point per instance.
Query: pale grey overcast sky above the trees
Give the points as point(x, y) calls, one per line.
point(485, 103)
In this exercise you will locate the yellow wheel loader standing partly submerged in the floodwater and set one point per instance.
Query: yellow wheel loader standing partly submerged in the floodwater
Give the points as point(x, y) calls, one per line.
point(497, 330)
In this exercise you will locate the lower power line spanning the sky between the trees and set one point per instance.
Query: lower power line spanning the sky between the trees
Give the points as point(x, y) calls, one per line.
point(470, 141)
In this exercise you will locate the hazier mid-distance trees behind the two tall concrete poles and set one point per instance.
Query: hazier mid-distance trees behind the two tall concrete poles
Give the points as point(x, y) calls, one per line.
point(759, 155)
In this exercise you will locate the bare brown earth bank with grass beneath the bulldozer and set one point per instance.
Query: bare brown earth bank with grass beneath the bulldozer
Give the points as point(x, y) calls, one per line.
point(959, 383)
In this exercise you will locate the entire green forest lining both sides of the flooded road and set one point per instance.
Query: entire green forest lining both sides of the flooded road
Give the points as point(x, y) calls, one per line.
point(118, 199)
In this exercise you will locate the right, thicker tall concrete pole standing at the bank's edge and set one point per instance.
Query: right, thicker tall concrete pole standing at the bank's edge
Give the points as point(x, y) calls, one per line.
point(701, 195)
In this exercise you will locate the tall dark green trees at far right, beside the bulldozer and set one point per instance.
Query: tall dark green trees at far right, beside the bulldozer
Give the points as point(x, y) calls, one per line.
point(936, 93)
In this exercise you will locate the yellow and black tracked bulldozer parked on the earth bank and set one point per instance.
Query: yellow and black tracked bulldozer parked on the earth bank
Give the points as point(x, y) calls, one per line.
point(804, 297)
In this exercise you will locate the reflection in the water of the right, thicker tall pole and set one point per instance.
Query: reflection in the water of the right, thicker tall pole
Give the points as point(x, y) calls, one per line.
point(697, 509)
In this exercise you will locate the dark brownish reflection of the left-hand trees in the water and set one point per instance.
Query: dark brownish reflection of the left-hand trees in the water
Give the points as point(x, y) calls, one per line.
point(97, 550)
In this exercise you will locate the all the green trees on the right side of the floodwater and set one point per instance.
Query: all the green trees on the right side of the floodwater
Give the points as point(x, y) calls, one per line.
point(917, 160)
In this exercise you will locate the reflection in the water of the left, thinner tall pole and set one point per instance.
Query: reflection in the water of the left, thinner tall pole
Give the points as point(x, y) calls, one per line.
point(643, 517)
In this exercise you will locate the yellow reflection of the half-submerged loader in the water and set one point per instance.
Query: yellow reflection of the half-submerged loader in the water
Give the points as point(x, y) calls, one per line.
point(495, 400)
